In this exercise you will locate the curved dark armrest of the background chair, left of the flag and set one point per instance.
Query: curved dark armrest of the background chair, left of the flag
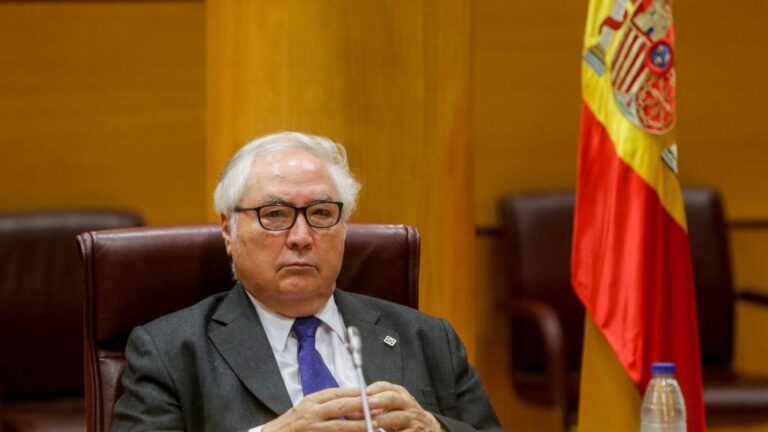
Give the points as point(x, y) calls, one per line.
point(547, 323)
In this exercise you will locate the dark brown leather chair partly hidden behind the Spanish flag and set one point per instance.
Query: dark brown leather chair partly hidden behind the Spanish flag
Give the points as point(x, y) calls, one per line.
point(547, 318)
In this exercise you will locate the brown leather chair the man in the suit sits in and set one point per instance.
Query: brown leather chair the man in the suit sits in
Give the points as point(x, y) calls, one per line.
point(135, 275)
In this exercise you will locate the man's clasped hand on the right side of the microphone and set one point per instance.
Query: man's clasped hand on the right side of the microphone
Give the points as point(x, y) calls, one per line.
point(394, 409)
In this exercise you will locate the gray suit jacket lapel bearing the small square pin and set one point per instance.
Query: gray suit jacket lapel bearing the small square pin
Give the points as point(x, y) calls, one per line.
point(381, 362)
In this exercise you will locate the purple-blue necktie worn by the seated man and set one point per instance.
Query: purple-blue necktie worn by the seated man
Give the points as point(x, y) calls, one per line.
point(315, 375)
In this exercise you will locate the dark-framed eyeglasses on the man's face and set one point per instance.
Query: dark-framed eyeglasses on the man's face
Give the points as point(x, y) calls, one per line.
point(280, 217)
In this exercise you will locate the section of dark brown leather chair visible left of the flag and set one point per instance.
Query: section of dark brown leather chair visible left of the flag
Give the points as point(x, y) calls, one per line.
point(546, 317)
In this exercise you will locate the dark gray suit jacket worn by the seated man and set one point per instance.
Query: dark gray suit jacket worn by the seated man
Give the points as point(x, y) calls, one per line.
point(210, 367)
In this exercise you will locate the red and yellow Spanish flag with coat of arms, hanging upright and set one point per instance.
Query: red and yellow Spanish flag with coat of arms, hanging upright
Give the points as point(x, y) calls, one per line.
point(631, 264)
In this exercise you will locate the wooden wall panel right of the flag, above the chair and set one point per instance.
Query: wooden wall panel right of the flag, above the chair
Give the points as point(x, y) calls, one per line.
point(722, 89)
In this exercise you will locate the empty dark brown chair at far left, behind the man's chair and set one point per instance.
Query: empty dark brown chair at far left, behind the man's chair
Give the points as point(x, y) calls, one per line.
point(41, 317)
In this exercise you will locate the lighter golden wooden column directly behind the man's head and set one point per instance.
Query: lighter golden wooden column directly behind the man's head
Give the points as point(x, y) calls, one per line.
point(390, 80)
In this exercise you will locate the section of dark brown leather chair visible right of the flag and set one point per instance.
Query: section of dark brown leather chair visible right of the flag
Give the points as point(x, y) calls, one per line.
point(730, 397)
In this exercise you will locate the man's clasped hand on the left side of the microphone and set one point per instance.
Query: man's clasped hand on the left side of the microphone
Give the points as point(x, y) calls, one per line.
point(323, 411)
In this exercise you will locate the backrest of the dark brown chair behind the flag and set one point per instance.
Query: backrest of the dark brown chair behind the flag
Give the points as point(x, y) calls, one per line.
point(538, 230)
